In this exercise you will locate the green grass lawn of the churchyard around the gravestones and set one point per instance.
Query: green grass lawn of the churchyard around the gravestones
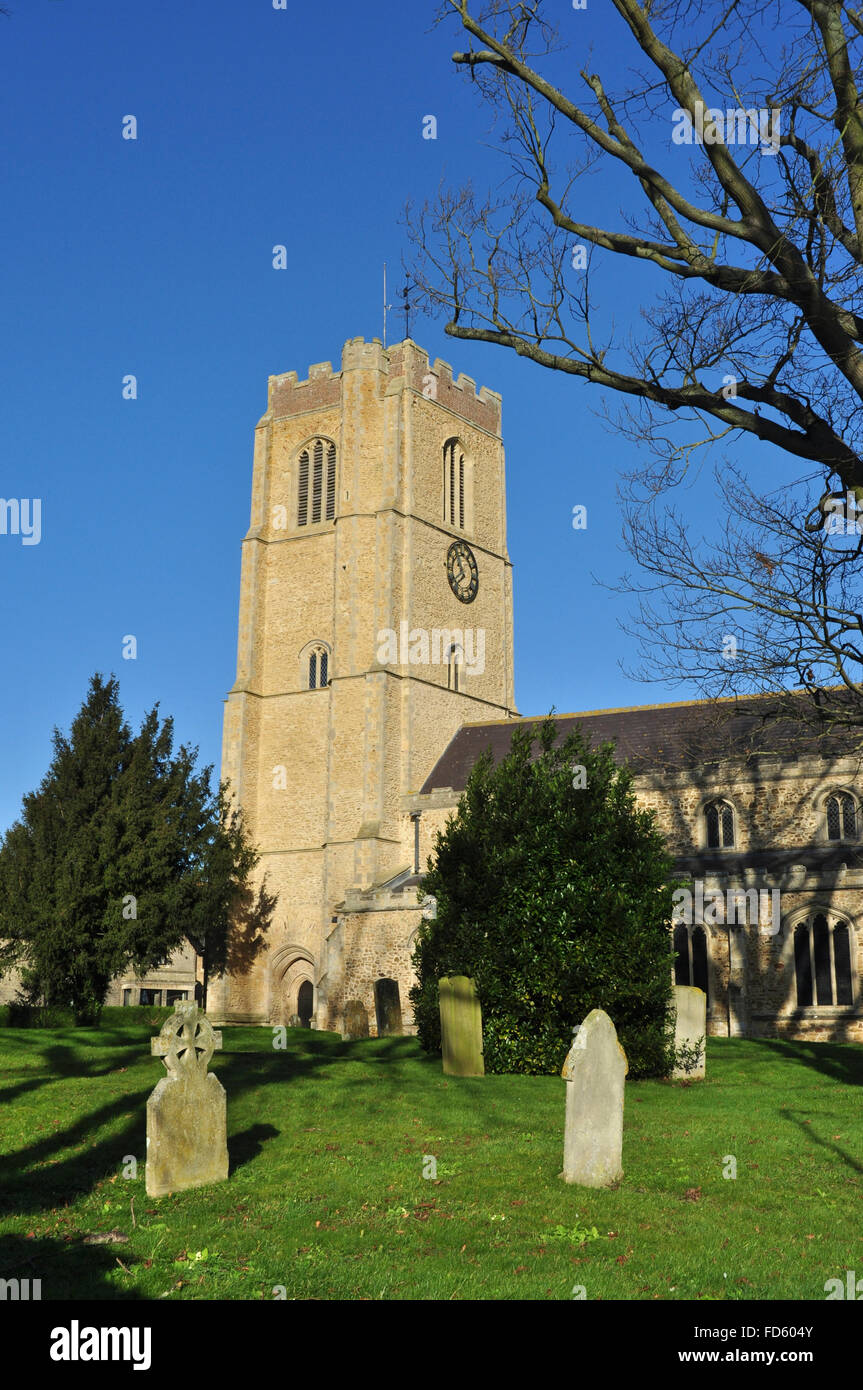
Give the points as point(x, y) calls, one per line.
point(327, 1195)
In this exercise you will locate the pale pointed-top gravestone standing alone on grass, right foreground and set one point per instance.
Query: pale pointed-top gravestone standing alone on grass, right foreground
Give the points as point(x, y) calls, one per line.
point(594, 1071)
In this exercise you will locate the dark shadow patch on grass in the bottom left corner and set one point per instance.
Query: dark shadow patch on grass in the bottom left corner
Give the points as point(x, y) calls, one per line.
point(65, 1270)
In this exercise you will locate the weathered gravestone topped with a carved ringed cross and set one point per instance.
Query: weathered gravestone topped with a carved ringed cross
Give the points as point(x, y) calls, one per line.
point(187, 1113)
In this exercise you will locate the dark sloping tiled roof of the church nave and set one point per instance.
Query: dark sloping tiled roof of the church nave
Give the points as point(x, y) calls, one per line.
point(654, 737)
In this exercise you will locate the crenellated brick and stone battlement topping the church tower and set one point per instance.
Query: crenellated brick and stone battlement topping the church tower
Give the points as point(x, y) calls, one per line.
point(404, 366)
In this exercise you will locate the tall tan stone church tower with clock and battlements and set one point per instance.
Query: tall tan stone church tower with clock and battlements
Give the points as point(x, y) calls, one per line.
point(376, 621)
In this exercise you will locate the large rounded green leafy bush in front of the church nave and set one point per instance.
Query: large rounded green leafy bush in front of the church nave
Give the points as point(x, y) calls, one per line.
point(554, 896)
